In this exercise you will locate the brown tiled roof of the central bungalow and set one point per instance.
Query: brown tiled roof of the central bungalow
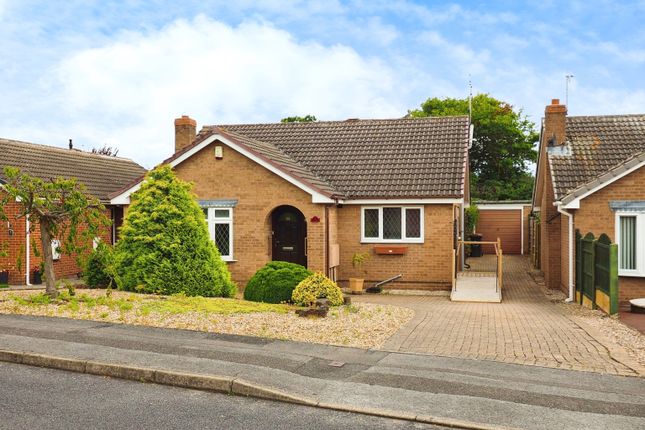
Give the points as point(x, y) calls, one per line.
point(397, 158)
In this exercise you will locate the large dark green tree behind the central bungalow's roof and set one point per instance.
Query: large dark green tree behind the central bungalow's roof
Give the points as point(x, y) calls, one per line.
point(503, 145)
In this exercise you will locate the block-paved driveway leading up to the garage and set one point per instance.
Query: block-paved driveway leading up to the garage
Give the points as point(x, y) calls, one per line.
point(526, 328)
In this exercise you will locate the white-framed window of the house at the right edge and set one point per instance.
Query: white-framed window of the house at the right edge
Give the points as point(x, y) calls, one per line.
point(630, 237)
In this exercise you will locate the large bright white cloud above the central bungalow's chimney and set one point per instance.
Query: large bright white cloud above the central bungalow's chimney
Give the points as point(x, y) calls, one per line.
point(127, 93)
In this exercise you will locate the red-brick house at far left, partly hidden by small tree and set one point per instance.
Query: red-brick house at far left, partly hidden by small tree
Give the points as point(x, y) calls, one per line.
point(101, 175)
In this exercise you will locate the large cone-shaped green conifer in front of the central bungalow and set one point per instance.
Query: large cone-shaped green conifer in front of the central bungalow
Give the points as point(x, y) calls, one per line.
point(165, 247)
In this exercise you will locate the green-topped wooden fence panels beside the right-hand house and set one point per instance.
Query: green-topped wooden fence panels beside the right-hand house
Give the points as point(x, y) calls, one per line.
point(597, 272)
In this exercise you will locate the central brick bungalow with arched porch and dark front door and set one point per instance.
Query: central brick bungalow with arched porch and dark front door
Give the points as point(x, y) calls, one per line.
point(318, 193)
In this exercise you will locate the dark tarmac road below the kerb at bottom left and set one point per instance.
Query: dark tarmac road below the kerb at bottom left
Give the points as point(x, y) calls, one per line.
point(94, 402)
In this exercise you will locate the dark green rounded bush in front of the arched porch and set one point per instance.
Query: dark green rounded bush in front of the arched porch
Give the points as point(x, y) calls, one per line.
point(275, 282)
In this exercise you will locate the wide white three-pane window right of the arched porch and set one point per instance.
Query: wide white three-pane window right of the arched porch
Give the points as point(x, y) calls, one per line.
point(392, 224)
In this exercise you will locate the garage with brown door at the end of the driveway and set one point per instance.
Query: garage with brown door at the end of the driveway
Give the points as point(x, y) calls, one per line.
point(506, 221)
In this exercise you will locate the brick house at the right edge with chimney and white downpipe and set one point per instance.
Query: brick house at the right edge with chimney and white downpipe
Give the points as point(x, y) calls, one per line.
point(591, 178)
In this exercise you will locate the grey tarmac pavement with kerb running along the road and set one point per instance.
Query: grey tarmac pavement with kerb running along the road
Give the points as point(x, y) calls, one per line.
point(451, 392)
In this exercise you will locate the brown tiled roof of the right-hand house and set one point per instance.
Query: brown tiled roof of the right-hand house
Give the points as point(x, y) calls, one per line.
point(596, 145)
